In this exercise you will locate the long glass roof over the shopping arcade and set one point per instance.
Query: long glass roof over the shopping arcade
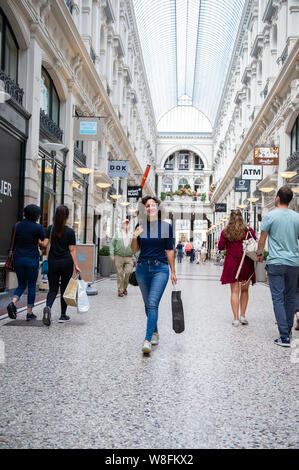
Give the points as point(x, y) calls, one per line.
point(187, 46)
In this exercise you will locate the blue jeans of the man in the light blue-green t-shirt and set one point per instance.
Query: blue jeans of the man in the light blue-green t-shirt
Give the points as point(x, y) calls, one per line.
point(283, 284)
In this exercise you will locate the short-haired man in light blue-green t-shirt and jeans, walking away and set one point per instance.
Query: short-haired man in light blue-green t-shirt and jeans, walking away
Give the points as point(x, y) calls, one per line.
point(281, 226)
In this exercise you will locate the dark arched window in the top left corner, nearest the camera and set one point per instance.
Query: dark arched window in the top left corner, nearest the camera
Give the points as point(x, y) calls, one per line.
point(8, 49)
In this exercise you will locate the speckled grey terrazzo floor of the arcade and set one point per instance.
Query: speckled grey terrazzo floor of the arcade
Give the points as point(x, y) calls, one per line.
point(86, 384)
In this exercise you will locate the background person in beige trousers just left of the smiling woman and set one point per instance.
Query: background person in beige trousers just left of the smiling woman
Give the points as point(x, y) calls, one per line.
point(121, 253)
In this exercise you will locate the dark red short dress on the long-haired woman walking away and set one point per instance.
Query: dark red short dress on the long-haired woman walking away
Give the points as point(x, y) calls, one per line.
point(234, 251)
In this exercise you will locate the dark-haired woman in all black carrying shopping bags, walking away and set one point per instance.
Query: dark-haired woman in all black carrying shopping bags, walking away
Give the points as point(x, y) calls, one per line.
point(61, 260)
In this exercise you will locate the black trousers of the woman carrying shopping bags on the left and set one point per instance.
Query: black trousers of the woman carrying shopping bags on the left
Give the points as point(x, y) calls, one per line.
point(59, 269)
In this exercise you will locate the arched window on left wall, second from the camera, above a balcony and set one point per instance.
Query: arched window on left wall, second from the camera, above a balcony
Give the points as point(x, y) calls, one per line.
point(49, 100)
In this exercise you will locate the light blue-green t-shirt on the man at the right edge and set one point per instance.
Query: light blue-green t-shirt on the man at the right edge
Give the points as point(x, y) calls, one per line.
point(282, 226)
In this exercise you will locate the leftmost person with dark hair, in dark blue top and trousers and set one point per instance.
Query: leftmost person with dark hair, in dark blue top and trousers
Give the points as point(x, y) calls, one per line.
point(26, 257)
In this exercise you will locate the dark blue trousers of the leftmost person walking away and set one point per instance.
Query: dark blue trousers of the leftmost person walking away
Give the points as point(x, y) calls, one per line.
point(27, 272)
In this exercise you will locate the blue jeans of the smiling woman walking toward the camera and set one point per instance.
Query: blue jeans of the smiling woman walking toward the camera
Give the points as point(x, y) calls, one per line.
point(152, 277)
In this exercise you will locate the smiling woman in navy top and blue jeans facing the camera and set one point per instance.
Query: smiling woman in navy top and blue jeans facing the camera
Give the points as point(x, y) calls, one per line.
point(154, 239)
